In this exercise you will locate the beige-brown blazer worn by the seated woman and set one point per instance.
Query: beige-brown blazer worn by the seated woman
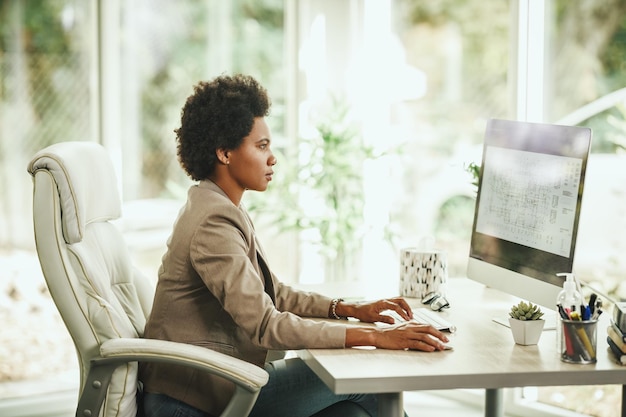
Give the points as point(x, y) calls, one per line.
point(211, 292)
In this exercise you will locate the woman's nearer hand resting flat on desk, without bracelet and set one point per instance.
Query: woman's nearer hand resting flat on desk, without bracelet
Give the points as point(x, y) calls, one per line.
point(405, 336)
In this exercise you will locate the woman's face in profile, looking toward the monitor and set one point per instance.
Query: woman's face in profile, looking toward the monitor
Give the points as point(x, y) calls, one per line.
point(250, 165)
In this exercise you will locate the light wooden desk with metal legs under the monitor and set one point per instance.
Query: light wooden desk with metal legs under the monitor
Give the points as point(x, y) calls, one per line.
point(484, 356)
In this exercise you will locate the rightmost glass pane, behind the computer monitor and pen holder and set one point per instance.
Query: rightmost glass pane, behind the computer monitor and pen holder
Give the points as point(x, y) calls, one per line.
point(585, 82)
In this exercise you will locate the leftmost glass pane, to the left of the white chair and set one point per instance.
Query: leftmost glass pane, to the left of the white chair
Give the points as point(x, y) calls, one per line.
point(46, 96)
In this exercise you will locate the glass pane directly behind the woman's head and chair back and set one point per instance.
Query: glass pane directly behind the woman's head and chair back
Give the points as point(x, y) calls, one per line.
point(167, 48)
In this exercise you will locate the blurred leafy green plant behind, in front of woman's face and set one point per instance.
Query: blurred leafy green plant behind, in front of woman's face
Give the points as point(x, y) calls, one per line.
point(320, 190)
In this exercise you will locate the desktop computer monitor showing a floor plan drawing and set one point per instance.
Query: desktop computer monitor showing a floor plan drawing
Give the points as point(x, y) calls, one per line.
point(527, 208)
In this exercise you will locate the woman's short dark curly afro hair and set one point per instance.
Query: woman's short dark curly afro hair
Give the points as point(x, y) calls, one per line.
point(218, 115)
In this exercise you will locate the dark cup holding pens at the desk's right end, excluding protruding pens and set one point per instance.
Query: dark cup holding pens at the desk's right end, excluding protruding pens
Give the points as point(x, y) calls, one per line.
point(578, 341)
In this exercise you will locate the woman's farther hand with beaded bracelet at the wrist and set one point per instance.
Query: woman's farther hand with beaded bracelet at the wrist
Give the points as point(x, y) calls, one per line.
point(370, 312)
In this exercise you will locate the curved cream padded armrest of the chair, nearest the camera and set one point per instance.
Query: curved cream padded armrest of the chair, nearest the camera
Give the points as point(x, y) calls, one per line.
point(242, 373)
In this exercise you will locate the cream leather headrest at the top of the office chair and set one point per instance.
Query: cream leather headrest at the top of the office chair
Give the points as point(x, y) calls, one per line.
point(86, 183)
